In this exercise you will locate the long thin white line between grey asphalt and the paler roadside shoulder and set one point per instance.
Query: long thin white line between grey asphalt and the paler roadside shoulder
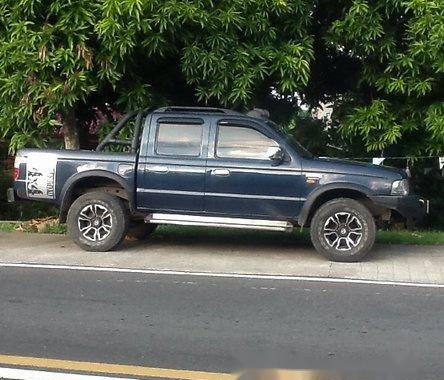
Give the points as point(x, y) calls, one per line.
point(221, 275)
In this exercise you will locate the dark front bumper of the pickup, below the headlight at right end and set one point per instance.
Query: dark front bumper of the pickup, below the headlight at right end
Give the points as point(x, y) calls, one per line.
point(411, 207)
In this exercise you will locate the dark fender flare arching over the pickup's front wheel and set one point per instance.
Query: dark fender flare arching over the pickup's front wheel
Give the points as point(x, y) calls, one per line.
point(332, 191)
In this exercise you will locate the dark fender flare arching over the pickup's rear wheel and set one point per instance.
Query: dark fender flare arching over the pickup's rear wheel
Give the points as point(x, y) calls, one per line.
point(65, 193)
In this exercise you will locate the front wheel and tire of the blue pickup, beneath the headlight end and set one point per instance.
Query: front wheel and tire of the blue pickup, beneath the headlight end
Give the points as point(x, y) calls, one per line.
point(343, 229)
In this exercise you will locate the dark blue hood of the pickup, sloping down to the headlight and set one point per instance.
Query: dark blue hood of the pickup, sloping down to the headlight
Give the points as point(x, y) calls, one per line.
point(349, 167)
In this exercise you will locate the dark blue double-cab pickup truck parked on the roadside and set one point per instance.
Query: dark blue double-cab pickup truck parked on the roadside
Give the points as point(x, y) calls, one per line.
point(213, 167)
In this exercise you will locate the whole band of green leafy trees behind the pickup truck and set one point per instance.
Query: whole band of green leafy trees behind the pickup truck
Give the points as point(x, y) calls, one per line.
point(380, 62)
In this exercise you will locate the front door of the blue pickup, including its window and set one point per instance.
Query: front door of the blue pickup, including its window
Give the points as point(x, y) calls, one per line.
point(241, 179)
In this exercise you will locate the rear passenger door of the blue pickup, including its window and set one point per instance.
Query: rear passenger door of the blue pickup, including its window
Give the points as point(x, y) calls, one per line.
point(171, 173)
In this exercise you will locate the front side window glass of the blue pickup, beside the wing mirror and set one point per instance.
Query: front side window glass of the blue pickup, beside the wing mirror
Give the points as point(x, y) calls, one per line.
point(244, 142)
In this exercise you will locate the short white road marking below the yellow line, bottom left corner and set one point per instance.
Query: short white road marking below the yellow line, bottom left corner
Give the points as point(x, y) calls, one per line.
point(25, 374)
